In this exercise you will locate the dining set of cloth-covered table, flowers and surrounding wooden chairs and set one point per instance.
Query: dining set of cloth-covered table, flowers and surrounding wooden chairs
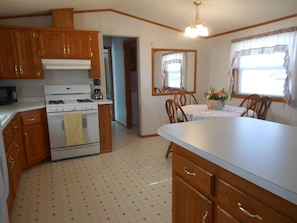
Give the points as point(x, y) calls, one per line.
point(184, 107)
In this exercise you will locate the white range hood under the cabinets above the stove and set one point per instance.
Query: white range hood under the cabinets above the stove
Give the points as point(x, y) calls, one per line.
point(70, 64)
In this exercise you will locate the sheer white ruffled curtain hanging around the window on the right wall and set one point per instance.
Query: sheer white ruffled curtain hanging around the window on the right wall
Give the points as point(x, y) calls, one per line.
point(284, 40)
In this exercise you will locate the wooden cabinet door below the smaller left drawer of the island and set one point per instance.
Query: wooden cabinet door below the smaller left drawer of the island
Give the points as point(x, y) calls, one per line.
point(188, 204)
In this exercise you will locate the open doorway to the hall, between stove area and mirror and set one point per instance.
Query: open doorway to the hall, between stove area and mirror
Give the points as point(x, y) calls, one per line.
point(120, 56)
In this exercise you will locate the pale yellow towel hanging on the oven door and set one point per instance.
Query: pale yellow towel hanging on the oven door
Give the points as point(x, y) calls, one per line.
point(73, 128)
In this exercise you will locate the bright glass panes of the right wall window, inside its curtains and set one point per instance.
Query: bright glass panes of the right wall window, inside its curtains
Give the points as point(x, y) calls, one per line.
point(262, 74)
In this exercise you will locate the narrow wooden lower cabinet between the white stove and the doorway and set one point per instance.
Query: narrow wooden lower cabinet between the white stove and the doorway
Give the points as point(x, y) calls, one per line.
point(105, 130)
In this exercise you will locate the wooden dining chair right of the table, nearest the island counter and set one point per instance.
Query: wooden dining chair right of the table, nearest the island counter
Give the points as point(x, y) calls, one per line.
point(259, 108)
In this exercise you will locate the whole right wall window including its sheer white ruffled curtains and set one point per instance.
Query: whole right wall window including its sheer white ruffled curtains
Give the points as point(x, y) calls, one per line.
point(266, 64)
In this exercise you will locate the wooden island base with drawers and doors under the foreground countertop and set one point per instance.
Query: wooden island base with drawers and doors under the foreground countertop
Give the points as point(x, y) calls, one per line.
point(205, 192)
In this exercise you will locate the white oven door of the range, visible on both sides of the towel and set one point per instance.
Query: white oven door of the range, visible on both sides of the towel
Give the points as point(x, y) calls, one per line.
point(56, 128)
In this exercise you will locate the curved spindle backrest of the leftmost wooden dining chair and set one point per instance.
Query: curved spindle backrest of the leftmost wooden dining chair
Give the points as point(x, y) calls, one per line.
point(175, 112)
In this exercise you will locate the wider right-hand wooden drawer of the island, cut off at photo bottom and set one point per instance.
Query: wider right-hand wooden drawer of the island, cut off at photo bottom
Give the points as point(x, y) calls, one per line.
point(244, 207)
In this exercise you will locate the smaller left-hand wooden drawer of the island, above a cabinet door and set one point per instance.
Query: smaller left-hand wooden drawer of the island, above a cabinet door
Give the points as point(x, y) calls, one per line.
point(193, 174)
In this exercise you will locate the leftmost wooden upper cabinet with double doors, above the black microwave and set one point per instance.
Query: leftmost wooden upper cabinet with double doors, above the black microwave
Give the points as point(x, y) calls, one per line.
point(19, 57)
